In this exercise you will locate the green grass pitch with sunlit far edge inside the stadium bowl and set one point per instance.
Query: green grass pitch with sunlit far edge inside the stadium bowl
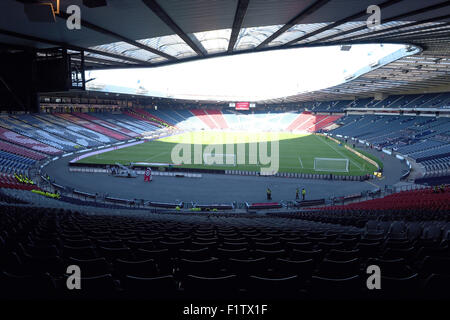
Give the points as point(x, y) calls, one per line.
point(296, 151)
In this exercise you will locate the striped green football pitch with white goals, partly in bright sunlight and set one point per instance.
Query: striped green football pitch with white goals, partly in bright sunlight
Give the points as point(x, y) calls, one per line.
point(242, 151)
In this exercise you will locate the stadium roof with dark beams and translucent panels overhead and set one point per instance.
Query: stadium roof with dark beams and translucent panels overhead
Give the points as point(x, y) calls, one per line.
point(147, 33)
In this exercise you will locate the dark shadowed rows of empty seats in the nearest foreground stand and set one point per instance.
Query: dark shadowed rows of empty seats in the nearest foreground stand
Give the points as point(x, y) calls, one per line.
point(139, 256)
